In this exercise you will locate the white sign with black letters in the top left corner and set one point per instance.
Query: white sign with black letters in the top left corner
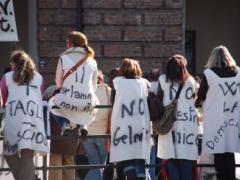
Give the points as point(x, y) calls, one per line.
point(8, 30)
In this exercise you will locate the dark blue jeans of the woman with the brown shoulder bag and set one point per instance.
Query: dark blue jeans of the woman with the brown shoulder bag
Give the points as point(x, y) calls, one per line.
point(180, 169)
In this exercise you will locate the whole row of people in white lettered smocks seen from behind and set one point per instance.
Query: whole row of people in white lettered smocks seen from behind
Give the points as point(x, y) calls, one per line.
point(80, 88)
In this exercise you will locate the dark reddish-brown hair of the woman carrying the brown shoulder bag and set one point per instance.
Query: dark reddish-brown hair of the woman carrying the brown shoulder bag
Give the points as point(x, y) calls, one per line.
point(176, 69)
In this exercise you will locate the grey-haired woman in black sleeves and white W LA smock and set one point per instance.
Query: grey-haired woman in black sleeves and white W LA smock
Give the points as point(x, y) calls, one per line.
point(219, 94)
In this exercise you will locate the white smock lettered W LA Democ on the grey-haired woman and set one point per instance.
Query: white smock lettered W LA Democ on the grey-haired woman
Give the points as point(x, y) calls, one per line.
point(221, 114)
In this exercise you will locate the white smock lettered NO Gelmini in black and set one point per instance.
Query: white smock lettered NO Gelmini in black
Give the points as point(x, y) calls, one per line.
point(130, 121)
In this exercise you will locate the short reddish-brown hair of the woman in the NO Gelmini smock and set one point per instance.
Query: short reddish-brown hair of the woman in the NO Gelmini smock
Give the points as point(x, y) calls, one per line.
point(130, 68)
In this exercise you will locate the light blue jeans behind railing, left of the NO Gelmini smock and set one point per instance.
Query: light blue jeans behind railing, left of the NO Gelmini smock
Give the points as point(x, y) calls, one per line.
point(96, 152)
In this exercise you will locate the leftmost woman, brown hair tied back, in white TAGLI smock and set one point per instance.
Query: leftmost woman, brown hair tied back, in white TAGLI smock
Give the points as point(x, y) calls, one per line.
point(24, 132)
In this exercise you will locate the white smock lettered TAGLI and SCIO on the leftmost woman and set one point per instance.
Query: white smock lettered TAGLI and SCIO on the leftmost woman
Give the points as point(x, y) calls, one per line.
point(24, 124)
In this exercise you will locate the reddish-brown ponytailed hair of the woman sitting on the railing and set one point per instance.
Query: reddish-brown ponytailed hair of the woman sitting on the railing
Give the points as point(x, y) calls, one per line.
point(79, 39)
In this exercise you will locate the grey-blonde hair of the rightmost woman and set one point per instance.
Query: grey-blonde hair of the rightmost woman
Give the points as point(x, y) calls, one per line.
point(220, 57)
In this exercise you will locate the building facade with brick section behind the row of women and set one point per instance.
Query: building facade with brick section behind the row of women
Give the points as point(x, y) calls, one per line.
point(147, 30)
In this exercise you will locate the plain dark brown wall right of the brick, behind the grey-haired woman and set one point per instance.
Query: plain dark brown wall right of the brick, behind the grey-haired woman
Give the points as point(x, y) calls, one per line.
point(215, 22)
